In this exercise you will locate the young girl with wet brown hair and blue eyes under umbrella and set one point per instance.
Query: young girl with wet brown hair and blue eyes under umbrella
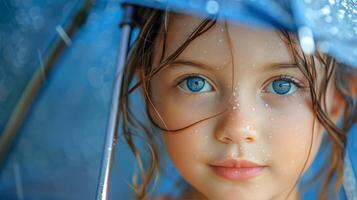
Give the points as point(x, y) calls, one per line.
point(241, 110)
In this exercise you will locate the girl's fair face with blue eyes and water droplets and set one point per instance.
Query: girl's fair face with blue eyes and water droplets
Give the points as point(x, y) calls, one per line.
point(259, 144)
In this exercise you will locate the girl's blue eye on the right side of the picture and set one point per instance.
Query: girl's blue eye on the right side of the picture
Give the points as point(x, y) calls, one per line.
point(282, 86)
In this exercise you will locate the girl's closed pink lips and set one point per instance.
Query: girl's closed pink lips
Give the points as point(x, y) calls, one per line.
point(237, 169)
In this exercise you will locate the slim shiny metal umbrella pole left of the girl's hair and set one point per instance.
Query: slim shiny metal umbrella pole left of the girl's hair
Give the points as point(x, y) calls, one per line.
point(112, 126)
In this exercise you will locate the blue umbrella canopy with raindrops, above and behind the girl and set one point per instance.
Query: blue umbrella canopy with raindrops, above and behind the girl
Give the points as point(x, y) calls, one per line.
point(57, 150)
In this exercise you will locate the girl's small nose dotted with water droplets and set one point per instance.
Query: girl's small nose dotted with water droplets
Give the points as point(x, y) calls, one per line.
point(238, 124)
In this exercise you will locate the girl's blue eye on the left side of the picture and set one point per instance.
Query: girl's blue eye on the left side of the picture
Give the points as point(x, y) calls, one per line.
point(195, 84)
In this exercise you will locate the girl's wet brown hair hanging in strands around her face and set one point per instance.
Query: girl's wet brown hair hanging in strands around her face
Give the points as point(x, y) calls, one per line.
point(139, 66)
